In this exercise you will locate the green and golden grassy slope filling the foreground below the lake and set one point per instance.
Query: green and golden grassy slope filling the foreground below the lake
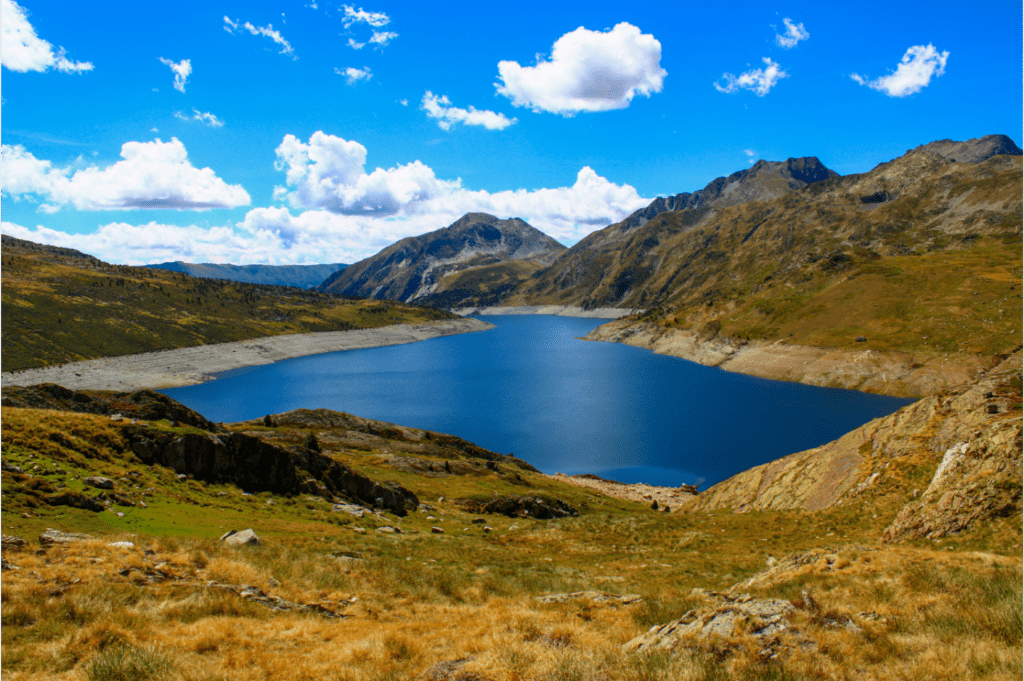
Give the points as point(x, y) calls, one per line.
point(329, 597)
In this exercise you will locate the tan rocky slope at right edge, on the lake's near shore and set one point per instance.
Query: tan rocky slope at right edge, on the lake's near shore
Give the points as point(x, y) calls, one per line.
point(970, 436)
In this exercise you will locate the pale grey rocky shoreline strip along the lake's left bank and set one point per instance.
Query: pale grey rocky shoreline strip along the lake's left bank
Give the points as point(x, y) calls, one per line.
point(167, 369)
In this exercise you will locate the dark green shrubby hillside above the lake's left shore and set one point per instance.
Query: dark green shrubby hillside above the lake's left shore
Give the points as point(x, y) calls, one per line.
point(60, 306)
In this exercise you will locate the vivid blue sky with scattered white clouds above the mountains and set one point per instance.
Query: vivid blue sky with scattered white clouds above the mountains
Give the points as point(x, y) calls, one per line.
point(286, 142)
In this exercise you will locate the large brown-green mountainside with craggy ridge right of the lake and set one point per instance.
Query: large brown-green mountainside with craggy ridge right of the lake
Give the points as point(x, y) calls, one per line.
point(919, 254)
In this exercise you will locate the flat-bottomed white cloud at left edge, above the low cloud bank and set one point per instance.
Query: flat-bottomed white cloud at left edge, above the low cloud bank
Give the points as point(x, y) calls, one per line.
point(152, 176)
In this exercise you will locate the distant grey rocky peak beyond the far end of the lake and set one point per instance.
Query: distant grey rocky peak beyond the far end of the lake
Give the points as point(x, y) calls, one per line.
point(416, 267)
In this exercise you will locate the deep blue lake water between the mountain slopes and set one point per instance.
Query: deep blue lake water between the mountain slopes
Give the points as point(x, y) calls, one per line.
point(532, 389)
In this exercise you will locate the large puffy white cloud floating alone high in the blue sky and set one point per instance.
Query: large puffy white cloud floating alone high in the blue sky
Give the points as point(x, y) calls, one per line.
point(589, 71)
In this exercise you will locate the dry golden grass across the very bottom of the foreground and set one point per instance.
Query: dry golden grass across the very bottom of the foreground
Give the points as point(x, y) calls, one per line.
point(74, 614)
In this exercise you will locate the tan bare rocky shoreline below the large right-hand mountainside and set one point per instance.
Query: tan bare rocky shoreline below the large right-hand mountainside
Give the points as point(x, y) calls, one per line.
point(897, 374)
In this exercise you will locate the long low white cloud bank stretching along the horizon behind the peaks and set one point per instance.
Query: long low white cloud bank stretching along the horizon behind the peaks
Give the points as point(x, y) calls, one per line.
point(334, 214)
